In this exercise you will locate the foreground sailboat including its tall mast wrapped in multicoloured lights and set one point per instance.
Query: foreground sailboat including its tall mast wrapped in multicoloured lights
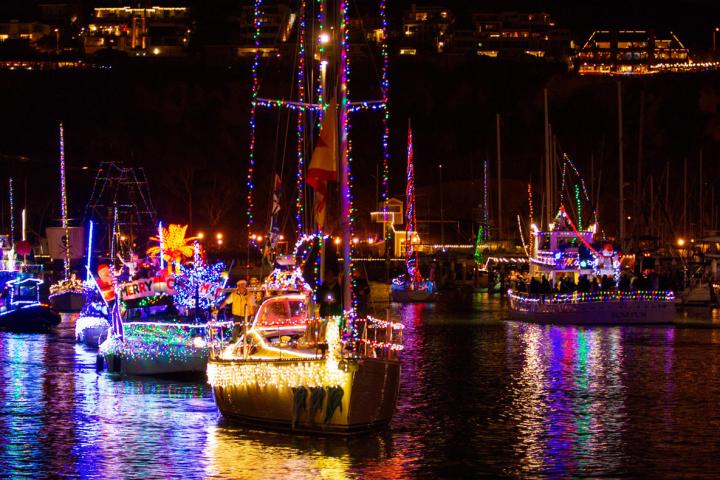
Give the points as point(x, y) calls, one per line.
point(294, 369)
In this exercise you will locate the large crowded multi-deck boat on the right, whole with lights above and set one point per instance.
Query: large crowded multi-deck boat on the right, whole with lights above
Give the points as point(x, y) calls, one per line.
point(574, 274)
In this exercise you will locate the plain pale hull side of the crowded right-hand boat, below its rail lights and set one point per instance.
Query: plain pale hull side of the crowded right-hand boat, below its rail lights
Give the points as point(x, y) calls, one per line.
point(619, 312)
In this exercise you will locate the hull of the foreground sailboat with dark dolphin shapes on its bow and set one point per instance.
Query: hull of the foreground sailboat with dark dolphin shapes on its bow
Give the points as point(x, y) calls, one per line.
point(369, 397)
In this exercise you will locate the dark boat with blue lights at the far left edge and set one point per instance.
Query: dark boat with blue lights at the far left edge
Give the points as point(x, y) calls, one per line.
point(20, 307)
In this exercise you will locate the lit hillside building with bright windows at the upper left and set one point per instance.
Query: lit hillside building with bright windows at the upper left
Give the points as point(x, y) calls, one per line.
point(140, 29)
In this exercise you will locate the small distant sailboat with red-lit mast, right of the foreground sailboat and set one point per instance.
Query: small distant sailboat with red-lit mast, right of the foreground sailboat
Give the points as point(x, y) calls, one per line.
point(411, 286)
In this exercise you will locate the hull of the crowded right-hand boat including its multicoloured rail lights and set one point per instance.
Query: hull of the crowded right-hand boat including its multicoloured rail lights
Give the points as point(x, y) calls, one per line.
point(634, 308)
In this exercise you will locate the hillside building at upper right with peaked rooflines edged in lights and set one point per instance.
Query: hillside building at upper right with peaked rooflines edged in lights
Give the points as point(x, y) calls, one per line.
point(633, 52)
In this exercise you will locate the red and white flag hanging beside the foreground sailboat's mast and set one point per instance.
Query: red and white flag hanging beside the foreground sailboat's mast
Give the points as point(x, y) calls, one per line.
point(323, 164)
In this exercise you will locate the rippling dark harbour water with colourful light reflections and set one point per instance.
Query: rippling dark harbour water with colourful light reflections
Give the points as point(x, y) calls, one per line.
point(481, 396)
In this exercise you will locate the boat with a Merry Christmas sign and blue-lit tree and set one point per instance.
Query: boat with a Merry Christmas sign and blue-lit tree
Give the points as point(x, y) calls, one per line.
point(161, 325)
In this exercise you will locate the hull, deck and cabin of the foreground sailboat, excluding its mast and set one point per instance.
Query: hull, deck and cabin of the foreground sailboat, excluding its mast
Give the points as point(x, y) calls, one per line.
point(293, 370)
